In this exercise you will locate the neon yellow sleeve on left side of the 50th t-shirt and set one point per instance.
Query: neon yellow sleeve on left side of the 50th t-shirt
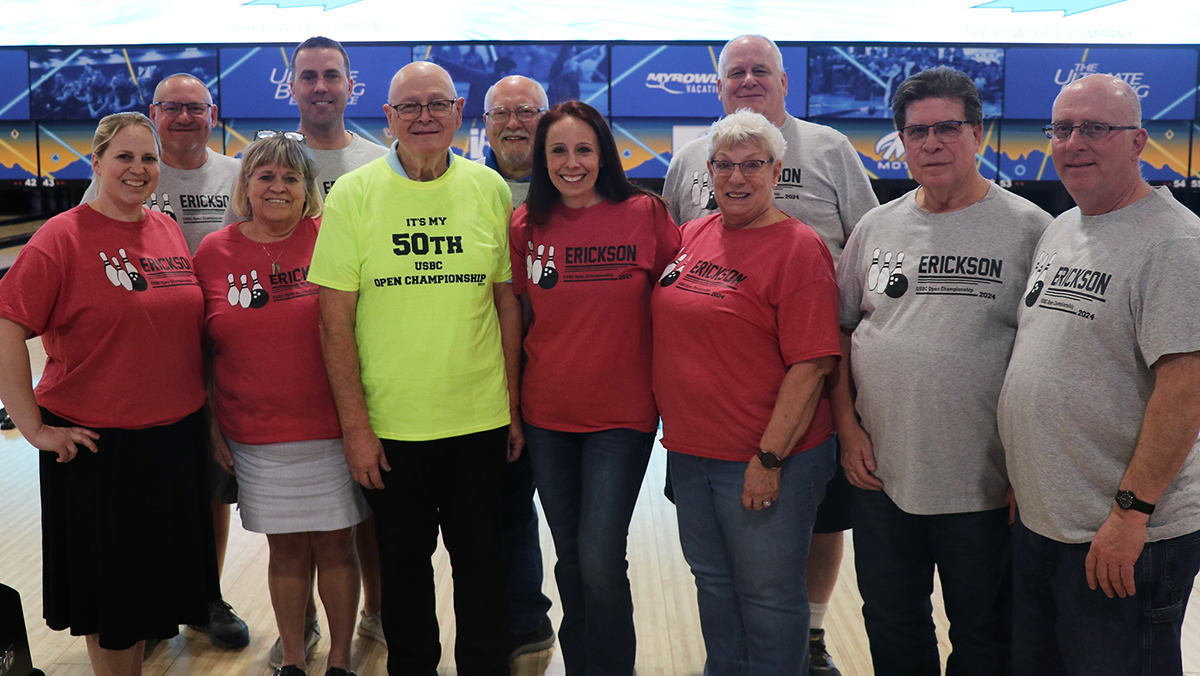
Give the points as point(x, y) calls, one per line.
point(337, 262)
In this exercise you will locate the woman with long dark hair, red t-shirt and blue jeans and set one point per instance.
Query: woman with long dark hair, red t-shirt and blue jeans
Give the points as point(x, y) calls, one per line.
point(587, 248)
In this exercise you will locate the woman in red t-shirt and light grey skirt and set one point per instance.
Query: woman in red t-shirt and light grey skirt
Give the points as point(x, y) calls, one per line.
point(275, 423)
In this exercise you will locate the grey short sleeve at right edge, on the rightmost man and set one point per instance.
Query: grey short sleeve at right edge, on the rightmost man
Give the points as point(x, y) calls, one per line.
point(1166, 300)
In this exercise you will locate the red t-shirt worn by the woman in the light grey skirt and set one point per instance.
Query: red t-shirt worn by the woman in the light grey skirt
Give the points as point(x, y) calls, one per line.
point(271, 376)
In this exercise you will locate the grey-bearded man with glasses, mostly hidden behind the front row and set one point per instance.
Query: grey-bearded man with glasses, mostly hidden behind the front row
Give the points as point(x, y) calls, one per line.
point(513, 110)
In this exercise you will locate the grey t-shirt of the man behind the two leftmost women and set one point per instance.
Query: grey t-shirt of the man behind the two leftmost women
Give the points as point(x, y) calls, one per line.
point(197, 199)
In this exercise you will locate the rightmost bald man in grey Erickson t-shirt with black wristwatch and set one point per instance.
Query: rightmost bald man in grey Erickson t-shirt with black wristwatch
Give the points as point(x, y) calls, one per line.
point(1101, 408)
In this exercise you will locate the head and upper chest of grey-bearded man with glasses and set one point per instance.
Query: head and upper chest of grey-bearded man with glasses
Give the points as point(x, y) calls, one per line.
point(513, 109)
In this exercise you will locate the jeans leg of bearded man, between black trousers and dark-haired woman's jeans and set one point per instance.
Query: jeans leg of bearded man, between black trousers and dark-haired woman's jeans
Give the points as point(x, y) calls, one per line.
point(523, 549)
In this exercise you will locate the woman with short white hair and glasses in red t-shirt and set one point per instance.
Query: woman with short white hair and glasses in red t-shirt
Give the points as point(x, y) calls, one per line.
point(746, 330)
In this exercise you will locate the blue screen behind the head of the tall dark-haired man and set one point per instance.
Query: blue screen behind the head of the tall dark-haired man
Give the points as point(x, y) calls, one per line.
point(257, 81)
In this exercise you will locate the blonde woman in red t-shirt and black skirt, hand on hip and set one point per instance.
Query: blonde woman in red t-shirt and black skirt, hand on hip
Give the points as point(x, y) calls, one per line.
point(118, 411)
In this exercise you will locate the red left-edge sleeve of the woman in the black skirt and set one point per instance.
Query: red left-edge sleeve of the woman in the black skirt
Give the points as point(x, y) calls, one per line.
point(31, 290)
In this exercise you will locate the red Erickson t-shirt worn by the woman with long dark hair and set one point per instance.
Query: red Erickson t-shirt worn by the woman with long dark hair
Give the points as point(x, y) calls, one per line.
point(589, 274)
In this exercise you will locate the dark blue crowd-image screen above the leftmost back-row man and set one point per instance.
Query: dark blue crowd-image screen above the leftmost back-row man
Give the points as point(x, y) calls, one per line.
point(88, 85)
